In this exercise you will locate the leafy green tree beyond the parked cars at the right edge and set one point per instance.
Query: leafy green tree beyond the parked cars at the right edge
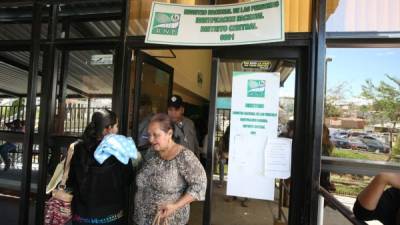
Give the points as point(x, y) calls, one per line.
point(385, 100)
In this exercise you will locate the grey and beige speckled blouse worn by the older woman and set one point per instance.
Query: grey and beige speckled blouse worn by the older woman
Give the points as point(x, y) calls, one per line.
point(165, 181)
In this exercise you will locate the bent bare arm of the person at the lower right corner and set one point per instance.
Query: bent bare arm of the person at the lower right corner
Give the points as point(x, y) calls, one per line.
point(370, 196)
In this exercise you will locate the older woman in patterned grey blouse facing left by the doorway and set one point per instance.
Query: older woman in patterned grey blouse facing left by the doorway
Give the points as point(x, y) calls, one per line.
point(170, 179)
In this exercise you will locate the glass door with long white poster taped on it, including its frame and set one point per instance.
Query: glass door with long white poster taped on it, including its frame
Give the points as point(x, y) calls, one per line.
point(274, 72)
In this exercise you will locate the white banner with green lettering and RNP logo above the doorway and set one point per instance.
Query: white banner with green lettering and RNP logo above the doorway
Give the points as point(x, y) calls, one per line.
point(216, 25)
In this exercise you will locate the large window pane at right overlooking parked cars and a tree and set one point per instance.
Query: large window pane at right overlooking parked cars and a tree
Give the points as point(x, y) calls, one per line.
point(362, 115)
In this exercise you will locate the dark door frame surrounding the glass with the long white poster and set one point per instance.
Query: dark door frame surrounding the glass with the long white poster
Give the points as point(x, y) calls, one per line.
point(302, 153)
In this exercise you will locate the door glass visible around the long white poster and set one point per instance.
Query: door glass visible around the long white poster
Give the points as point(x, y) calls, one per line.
point(232, 210)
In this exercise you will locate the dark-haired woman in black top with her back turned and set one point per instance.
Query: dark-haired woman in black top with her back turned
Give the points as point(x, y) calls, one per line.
point(100, 190)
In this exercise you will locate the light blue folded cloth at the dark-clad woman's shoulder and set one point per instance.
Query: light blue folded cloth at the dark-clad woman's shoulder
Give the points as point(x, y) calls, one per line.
point(121, 147)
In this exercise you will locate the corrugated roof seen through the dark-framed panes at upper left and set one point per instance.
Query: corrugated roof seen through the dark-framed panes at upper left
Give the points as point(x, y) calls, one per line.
point(89, 79)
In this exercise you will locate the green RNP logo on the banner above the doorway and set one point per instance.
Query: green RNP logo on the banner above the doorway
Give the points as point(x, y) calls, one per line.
point(166, 23)
